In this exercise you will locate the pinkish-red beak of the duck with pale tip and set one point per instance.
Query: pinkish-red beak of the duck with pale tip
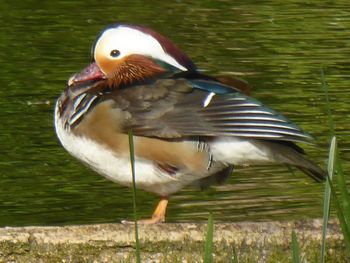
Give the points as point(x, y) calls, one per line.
point(88, 74)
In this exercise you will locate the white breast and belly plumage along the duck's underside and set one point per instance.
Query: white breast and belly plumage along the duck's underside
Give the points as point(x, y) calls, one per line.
point(117, 168)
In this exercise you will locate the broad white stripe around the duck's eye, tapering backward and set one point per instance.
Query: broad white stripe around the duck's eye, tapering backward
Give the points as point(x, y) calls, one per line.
point(131, 41)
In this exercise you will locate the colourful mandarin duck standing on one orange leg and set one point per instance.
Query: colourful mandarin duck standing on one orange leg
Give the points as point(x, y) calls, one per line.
point(188, 128)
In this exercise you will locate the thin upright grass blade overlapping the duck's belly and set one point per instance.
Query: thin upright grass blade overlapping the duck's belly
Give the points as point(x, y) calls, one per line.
point(132, 162)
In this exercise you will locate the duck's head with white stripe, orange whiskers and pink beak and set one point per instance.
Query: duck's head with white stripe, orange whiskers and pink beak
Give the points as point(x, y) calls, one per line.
point(124, 54)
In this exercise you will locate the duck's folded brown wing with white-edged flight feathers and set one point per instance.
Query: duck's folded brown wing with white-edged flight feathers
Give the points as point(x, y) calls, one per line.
point(182, 108)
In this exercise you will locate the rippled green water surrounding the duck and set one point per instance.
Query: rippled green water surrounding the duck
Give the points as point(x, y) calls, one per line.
point(279, 47)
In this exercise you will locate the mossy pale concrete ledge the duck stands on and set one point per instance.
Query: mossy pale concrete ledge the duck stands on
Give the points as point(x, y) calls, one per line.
point(183, 242)
